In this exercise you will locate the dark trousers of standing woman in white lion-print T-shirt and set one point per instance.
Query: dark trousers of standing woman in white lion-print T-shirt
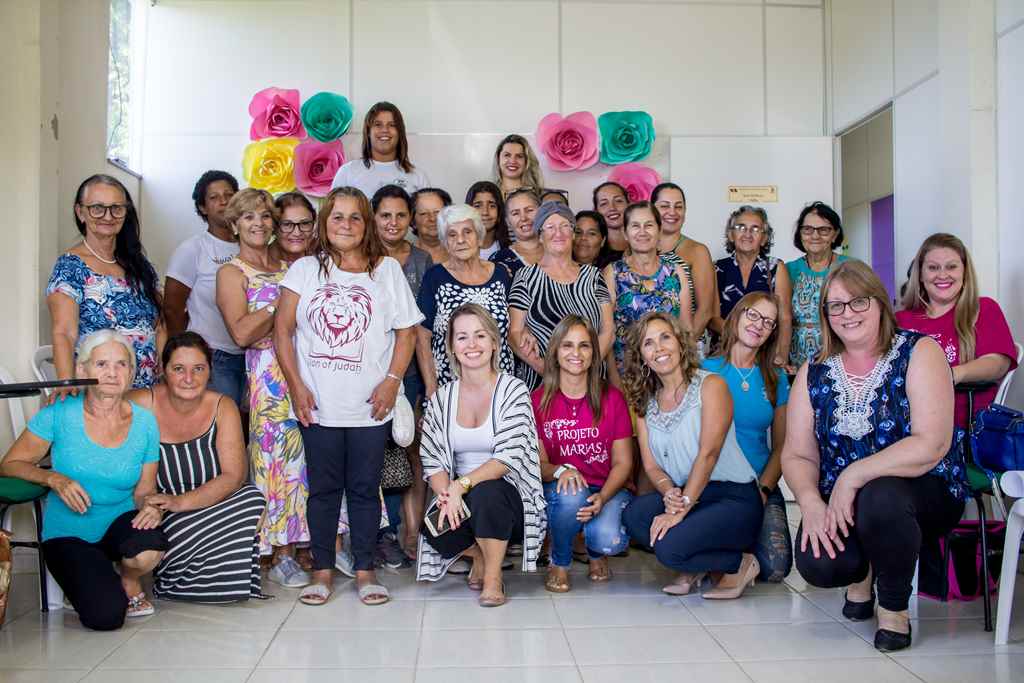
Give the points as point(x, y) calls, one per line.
point(345, 461)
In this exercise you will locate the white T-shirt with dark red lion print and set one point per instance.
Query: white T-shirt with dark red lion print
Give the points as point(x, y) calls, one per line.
point(345, 335)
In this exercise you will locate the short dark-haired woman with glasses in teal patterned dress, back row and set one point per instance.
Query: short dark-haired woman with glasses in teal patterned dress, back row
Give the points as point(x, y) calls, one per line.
point(819, 234)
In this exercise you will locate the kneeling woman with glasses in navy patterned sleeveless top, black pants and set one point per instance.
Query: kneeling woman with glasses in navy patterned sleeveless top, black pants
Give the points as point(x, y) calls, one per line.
point(870, 453)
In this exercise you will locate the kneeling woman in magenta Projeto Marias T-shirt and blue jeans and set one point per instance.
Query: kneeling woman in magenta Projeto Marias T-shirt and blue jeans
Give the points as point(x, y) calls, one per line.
point(586, 453)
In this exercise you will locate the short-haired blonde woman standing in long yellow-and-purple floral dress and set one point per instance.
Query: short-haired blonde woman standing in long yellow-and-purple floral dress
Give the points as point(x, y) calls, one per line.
point(248, 288)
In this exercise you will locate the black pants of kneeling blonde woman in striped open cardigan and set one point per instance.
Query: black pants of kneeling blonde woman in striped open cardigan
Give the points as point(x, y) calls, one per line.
point(495, 513)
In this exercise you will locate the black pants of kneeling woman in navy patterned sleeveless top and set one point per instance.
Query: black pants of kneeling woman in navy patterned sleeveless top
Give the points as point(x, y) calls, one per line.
point(891, 517)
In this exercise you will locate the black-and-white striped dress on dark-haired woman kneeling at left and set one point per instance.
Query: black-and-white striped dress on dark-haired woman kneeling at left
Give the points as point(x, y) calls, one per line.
point(215, 552)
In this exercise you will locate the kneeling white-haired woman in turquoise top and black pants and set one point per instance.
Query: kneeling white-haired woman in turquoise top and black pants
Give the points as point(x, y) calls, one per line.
point(105, 454)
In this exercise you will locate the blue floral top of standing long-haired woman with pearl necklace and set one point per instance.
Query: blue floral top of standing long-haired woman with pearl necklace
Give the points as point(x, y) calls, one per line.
point(106, 303)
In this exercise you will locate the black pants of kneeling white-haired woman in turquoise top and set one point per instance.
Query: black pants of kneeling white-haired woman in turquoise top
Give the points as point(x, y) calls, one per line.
point(87, 575)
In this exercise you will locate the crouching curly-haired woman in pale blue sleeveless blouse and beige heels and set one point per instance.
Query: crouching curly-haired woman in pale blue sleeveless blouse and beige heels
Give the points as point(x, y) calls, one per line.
point(707, 511)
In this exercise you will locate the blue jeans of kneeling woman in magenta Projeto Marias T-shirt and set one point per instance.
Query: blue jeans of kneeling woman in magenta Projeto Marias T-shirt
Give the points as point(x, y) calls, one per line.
point(605, 534)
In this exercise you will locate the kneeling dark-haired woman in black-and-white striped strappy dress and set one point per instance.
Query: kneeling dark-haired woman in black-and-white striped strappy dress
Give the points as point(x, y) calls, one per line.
point(212, 516)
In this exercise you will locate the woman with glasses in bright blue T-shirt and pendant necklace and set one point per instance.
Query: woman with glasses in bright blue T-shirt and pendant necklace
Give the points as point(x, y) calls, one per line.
point(760, 393)
